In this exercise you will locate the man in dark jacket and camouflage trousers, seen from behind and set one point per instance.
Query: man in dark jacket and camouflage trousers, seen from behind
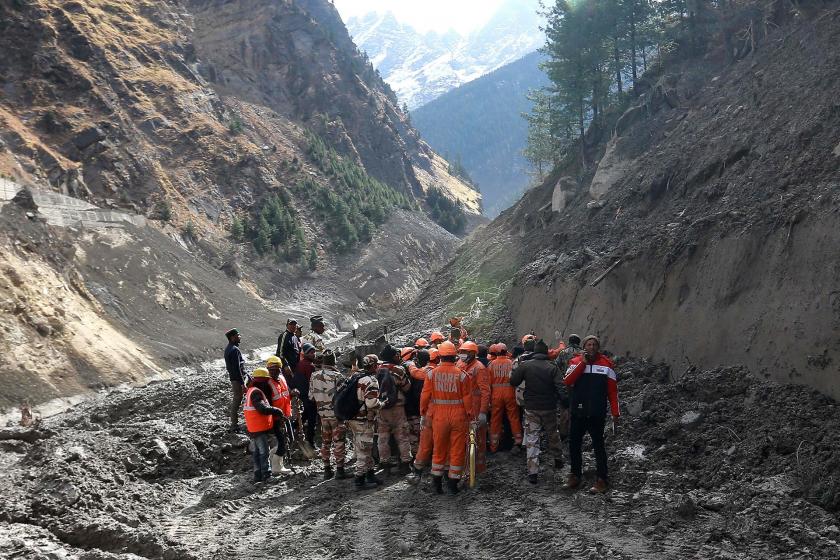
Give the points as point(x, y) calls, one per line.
point(543, 387)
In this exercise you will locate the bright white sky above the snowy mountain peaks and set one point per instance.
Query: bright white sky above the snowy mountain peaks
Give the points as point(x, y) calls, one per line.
point(426, 15)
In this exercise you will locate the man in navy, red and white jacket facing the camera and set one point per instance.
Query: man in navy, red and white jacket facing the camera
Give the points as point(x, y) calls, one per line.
point(592, 377)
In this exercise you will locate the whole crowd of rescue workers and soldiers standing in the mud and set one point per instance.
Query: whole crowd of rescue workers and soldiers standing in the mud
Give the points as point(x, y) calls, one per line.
point(428, 399)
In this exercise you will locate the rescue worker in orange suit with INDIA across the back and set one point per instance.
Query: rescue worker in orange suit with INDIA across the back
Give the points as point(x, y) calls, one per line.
point(447, 395)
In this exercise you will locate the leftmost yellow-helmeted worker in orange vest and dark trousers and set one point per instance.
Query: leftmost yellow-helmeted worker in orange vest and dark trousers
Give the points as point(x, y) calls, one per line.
point(259, 421)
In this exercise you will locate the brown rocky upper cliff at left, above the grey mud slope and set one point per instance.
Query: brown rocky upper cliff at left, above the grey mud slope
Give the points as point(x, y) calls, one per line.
point(202, 104)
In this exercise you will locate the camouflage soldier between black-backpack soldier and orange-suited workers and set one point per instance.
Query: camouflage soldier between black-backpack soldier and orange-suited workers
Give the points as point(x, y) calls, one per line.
point(392, 420)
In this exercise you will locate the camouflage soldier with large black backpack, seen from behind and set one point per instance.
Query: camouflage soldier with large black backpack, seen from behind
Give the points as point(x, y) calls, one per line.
point(362, 426)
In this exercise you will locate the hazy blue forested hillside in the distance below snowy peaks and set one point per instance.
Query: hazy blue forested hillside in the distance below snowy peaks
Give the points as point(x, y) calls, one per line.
point(481, 126)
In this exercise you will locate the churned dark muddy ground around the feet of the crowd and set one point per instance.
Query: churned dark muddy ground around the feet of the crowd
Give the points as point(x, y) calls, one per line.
point(715, 465)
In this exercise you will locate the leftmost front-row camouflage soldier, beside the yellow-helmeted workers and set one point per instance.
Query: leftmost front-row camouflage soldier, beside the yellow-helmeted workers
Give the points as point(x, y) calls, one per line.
point(322, 388)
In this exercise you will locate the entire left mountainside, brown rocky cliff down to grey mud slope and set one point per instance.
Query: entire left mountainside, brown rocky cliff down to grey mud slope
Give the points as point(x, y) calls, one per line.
point(197, 116)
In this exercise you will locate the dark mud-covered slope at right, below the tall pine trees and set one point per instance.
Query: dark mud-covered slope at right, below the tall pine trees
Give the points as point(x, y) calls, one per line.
point(705, 230)
